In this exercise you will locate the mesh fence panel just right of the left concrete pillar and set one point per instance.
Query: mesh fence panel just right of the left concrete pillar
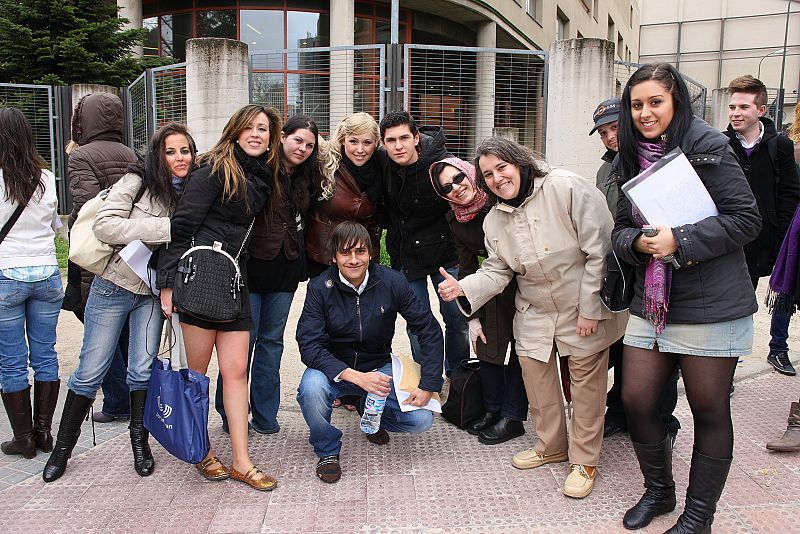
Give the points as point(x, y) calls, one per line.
point(325, 84)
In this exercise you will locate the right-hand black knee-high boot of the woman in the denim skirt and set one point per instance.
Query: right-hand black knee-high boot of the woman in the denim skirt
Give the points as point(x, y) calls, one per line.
point(707, 478)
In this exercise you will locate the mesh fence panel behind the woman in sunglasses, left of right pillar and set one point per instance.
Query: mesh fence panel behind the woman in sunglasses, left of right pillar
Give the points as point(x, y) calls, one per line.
point(474, 93)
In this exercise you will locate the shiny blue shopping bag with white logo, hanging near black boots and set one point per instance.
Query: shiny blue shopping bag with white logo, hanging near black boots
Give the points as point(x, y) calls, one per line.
point(176, 411)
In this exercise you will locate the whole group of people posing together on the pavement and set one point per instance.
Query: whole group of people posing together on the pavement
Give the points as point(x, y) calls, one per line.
point(516, 249)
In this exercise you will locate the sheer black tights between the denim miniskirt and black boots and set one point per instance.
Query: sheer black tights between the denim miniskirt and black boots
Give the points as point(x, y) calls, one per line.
point(707, 381)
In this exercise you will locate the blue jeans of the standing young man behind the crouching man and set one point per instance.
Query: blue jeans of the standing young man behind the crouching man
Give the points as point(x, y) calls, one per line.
point(456, 336)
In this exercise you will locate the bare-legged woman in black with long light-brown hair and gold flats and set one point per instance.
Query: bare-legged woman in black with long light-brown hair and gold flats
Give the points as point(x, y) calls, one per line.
point(235, 181)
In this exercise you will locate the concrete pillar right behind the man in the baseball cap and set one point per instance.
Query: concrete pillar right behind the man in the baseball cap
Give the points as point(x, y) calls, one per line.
point(581, 73)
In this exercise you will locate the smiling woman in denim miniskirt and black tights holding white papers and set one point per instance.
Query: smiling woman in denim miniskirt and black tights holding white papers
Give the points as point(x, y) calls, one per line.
point(693, 300)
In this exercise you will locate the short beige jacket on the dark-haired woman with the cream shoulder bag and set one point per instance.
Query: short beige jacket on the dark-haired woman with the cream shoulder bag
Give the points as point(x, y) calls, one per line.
point(117, 224)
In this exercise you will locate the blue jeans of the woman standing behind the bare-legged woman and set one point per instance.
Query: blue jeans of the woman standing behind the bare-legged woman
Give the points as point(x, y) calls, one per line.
point(270, 312)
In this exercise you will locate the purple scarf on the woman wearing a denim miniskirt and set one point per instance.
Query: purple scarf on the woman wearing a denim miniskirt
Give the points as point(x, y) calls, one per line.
point(658, 275)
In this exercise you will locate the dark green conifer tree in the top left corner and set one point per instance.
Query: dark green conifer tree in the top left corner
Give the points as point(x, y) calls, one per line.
point(62, 42)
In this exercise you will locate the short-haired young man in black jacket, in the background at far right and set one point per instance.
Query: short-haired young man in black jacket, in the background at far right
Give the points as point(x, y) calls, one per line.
point(767, 160)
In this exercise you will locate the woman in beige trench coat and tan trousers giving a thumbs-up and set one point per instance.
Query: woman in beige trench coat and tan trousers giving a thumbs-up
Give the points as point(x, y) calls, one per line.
point(551, 230)
